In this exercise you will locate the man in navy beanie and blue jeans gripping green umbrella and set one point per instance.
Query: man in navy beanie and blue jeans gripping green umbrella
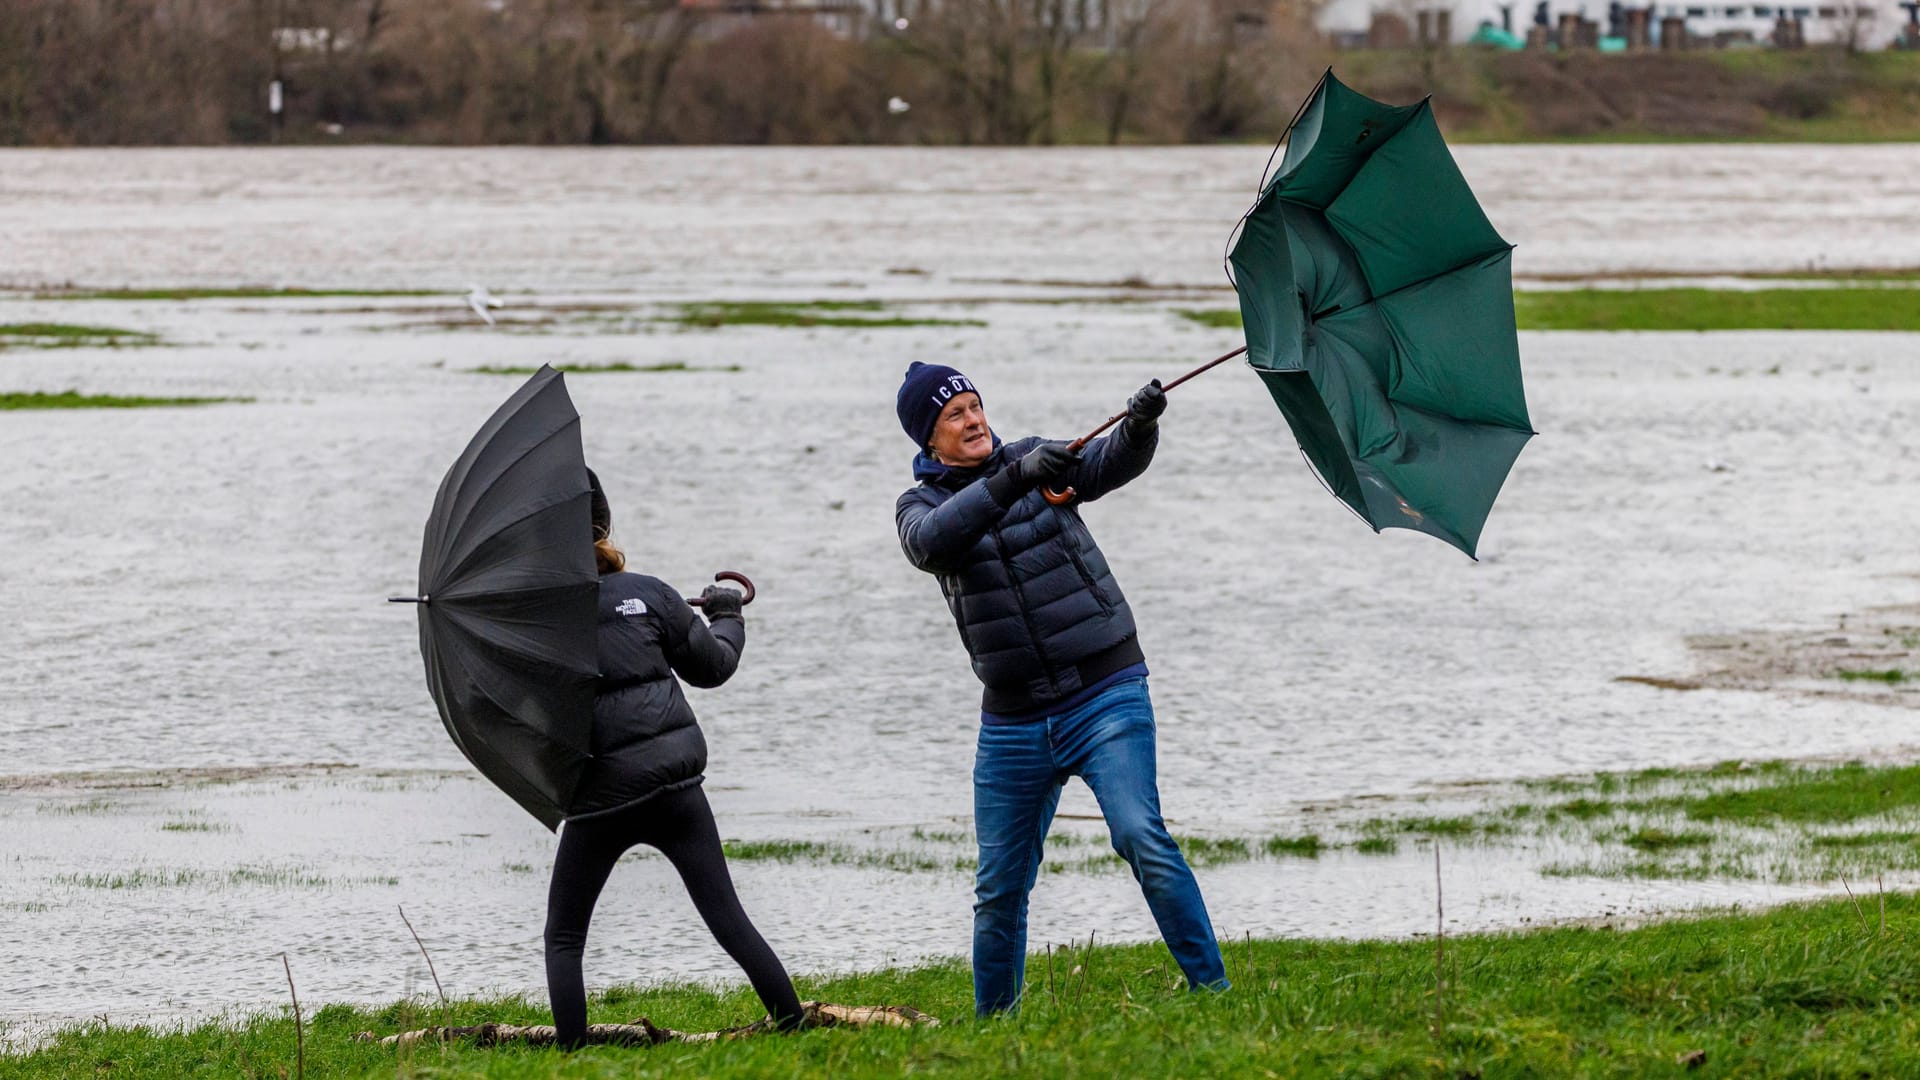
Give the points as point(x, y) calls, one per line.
point(1053, 641)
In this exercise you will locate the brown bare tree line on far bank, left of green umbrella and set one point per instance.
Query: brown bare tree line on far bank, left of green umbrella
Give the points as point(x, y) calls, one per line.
point(652, 72)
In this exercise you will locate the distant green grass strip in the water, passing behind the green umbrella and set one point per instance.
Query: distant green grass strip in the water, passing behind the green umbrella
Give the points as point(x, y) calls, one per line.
point(1691, 310)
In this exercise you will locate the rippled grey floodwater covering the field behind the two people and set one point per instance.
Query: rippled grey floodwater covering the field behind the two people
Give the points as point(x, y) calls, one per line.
point(204, 589)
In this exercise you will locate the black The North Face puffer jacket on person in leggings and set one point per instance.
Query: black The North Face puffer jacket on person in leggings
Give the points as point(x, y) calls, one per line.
point(646, 739)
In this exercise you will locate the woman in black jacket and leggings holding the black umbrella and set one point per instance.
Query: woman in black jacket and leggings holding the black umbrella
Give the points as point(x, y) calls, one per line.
point(644, 783)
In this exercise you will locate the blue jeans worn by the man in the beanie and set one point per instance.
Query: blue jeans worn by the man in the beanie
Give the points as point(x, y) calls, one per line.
point(1019, 773)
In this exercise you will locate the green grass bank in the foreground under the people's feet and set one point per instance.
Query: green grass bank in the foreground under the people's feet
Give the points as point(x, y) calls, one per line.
point(1812, 991)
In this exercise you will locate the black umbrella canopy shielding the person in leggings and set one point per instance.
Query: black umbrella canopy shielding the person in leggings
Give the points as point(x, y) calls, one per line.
point(510, 599)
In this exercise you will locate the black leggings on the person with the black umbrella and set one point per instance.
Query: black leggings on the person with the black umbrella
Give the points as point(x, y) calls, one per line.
point(683, 827)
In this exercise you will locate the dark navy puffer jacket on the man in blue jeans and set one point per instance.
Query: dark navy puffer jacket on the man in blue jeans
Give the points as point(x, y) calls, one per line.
point(1036, 602)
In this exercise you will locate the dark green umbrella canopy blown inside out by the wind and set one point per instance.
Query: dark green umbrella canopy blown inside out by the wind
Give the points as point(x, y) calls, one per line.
point(1380, 312)
